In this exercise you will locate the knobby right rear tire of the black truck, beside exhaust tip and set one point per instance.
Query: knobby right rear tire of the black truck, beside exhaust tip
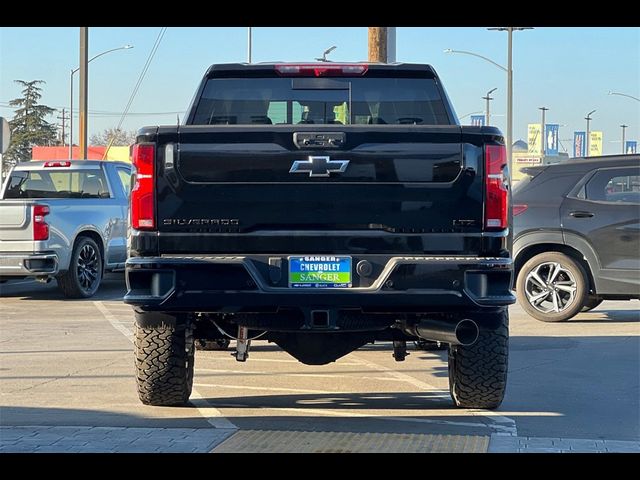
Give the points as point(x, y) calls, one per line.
point(478, 372)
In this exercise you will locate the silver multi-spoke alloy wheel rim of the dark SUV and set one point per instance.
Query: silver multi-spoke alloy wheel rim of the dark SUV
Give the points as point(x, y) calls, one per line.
point(550, 287)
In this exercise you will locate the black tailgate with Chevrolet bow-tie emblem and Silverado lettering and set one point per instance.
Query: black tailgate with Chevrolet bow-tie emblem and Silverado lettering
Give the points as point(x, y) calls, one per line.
point(403, 189)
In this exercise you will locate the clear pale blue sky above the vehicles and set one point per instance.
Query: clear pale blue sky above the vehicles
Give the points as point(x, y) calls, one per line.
point(568, 70)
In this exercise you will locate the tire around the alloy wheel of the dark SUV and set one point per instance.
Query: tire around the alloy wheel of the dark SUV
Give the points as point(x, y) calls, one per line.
point(581, 284)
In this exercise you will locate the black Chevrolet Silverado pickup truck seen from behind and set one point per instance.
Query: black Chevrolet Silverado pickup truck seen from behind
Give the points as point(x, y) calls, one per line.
point(321, 207)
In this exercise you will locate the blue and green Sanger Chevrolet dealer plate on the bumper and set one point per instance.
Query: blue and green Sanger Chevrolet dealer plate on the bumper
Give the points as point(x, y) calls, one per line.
point(320, 271)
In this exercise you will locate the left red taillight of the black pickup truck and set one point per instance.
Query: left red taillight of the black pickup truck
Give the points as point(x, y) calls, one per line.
point(143, 192)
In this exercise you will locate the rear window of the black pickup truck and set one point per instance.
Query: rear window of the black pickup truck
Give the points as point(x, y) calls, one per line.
point(322, 101)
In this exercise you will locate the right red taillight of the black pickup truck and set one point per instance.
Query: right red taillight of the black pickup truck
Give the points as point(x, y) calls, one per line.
point(496, 210)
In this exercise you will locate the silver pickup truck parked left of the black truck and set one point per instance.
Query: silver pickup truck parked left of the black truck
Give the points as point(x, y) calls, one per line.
point(65, 220)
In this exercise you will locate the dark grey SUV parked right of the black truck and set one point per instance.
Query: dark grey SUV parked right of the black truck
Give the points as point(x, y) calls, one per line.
point(577, 235)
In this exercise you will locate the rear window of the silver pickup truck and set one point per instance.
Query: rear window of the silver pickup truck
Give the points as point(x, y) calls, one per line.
point(57, 184)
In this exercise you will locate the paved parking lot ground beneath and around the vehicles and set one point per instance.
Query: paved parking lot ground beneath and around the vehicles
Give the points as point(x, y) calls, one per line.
point(67, 385)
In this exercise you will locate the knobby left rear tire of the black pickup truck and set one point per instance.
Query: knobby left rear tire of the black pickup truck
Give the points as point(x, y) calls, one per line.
point(164, 358)
